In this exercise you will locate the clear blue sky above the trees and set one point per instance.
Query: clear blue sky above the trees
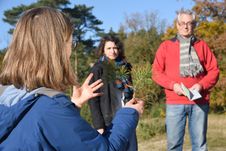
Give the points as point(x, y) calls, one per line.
point(111, 12)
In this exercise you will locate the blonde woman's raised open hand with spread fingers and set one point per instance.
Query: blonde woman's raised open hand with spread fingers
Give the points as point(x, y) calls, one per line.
point(82, 94)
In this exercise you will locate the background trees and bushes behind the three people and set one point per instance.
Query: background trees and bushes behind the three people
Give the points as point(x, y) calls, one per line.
point(141, 35)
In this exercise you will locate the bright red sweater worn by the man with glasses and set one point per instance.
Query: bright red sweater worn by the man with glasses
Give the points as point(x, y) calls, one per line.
point(166, 71)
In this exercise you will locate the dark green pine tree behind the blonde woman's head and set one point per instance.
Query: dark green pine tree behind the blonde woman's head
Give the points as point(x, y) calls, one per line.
point(85, 23)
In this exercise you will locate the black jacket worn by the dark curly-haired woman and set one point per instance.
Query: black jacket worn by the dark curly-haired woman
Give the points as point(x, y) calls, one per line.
point(103, 108)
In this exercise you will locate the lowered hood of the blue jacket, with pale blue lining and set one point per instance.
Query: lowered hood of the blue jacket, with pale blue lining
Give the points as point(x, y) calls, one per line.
point(14, 103)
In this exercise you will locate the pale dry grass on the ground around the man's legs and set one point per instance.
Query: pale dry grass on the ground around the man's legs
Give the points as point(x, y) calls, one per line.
point(216, 137)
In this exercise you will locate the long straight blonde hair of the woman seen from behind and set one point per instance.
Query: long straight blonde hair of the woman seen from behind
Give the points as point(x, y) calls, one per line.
point(37, 55)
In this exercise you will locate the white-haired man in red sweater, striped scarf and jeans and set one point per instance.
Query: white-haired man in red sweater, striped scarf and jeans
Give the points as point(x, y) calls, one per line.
point(188, 60)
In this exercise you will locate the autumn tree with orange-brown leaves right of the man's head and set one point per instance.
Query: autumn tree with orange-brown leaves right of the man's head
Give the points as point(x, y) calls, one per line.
point(212, 17)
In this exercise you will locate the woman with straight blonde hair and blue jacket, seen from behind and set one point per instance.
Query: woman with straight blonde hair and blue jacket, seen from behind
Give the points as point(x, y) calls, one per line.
point(35, 114)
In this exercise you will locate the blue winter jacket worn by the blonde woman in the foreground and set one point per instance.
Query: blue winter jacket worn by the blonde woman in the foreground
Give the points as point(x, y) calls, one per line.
point(34, 121)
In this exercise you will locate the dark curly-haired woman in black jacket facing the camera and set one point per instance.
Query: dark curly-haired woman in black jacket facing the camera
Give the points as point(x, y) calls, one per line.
point(114, 70)
